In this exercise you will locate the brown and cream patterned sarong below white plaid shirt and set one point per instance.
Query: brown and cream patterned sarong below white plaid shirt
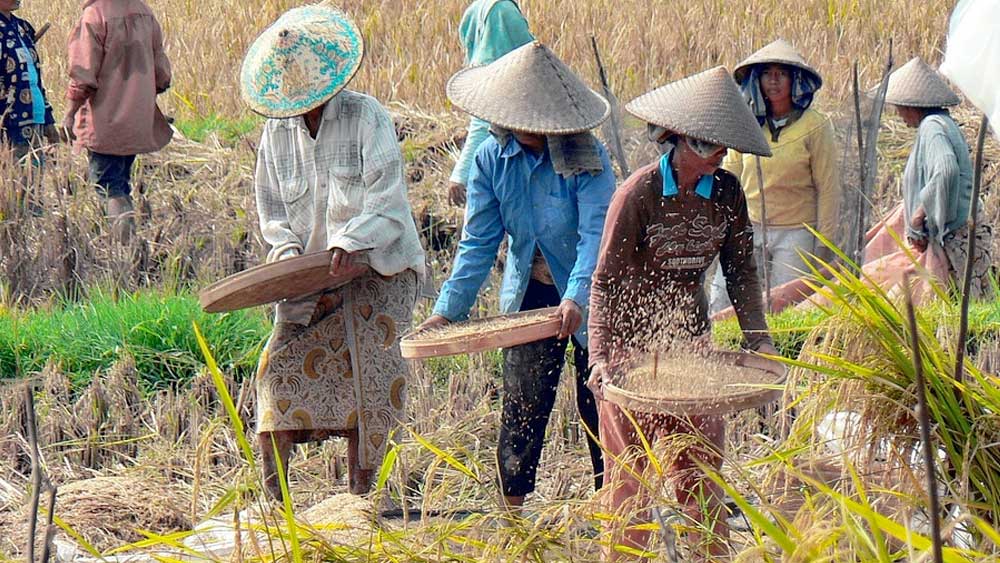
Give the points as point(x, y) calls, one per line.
point(344, 371)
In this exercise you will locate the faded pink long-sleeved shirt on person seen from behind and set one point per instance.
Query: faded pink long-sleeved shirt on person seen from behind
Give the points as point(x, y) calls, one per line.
point(117, 67)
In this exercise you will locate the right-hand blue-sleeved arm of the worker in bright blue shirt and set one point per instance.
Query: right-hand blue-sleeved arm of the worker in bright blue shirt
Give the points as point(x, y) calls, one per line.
point(593, 195)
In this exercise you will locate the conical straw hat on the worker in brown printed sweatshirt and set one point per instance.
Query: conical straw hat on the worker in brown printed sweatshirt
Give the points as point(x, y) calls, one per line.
point(707, 106)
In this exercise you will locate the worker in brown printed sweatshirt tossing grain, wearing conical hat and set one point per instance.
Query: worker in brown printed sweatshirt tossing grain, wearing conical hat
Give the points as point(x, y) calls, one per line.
point(666, 225)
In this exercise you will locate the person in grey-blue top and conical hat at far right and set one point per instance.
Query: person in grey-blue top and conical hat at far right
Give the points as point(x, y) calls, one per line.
point(937, 181)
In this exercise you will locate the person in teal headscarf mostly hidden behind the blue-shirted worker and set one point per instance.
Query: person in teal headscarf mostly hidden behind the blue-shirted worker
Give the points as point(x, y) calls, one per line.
point(489, 30)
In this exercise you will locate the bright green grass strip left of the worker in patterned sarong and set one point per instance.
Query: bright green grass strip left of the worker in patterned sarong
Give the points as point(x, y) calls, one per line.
point(86, 337)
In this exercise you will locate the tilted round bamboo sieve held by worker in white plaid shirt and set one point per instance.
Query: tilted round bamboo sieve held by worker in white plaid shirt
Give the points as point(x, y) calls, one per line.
point(269, 283)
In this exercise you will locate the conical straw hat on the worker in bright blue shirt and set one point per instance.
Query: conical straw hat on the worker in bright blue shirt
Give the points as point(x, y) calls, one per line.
point(530, 90)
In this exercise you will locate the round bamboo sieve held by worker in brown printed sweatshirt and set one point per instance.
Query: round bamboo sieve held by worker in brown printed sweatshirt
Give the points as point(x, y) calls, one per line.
point(737, 395)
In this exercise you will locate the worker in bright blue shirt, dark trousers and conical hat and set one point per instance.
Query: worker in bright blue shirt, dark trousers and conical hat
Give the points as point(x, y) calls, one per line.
point(544, 181)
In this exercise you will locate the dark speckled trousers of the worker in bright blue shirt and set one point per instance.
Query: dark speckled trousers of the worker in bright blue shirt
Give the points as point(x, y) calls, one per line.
point(530, 379)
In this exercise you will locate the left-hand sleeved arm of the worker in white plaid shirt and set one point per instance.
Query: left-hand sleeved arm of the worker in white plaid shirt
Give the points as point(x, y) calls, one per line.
point(273, 215)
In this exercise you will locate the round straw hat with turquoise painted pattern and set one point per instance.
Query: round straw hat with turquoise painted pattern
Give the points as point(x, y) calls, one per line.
point(302, 60)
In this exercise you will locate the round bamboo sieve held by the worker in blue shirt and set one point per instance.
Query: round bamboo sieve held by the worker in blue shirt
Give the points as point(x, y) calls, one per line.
point(477, 335)
